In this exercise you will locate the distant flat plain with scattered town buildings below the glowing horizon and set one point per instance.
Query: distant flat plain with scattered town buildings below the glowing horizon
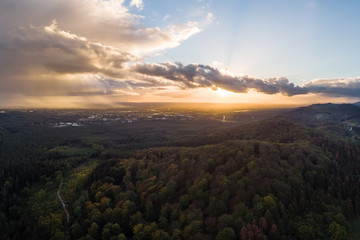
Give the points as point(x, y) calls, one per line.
point(65, 118)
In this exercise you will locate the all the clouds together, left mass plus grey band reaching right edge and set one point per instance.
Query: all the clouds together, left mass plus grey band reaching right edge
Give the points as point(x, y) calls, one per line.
point(51, 51)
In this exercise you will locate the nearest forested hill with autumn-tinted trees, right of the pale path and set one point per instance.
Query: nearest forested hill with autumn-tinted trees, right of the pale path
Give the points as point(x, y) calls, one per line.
point(290, 182)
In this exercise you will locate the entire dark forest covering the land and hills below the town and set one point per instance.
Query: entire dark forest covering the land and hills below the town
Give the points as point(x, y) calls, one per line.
point(294, 176)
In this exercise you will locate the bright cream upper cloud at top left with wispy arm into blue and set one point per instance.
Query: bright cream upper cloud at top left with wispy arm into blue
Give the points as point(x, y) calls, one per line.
point(104, 21)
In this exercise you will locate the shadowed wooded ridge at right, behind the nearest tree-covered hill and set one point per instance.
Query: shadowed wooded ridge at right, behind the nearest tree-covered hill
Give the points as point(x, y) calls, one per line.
point(336, 119)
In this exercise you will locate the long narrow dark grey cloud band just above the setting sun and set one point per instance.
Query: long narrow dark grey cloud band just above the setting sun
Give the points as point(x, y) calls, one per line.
point(196, 75)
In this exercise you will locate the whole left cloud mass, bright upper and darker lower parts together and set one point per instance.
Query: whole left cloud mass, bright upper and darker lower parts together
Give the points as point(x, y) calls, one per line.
point(38, 57)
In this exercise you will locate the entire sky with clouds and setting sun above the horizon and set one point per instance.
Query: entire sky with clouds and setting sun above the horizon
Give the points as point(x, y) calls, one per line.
point(84, 53)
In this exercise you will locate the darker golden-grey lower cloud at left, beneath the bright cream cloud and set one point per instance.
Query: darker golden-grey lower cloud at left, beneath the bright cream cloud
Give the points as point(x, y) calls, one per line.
point(43, 60)
